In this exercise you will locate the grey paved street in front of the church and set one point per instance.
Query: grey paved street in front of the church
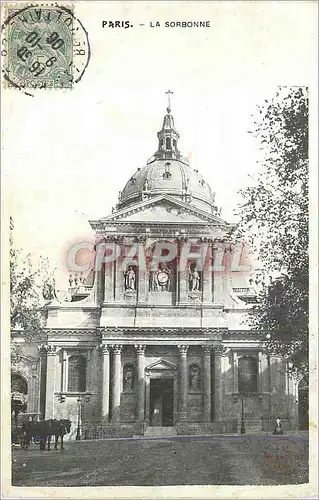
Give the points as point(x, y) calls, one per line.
point(248, 459)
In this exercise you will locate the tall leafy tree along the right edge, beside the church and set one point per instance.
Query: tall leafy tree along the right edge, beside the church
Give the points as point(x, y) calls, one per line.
point(274, 219)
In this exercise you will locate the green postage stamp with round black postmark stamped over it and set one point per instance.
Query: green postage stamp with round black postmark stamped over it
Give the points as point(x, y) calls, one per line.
point(43, 46)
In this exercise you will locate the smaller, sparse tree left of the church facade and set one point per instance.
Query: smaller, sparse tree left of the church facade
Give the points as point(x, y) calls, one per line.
point(29, 286)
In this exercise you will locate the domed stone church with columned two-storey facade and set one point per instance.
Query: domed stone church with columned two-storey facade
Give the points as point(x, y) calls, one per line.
point(154, 342)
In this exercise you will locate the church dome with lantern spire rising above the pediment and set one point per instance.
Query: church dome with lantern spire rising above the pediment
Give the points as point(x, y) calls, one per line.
point(168, 172)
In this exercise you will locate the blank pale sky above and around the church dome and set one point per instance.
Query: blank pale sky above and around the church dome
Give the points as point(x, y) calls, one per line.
point(68, 153)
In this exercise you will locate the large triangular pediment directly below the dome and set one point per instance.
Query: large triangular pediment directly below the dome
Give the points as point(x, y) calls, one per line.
point(163, 208)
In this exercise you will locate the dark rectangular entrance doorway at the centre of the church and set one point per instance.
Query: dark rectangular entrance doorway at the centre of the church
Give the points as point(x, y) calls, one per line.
point(161, 402)
